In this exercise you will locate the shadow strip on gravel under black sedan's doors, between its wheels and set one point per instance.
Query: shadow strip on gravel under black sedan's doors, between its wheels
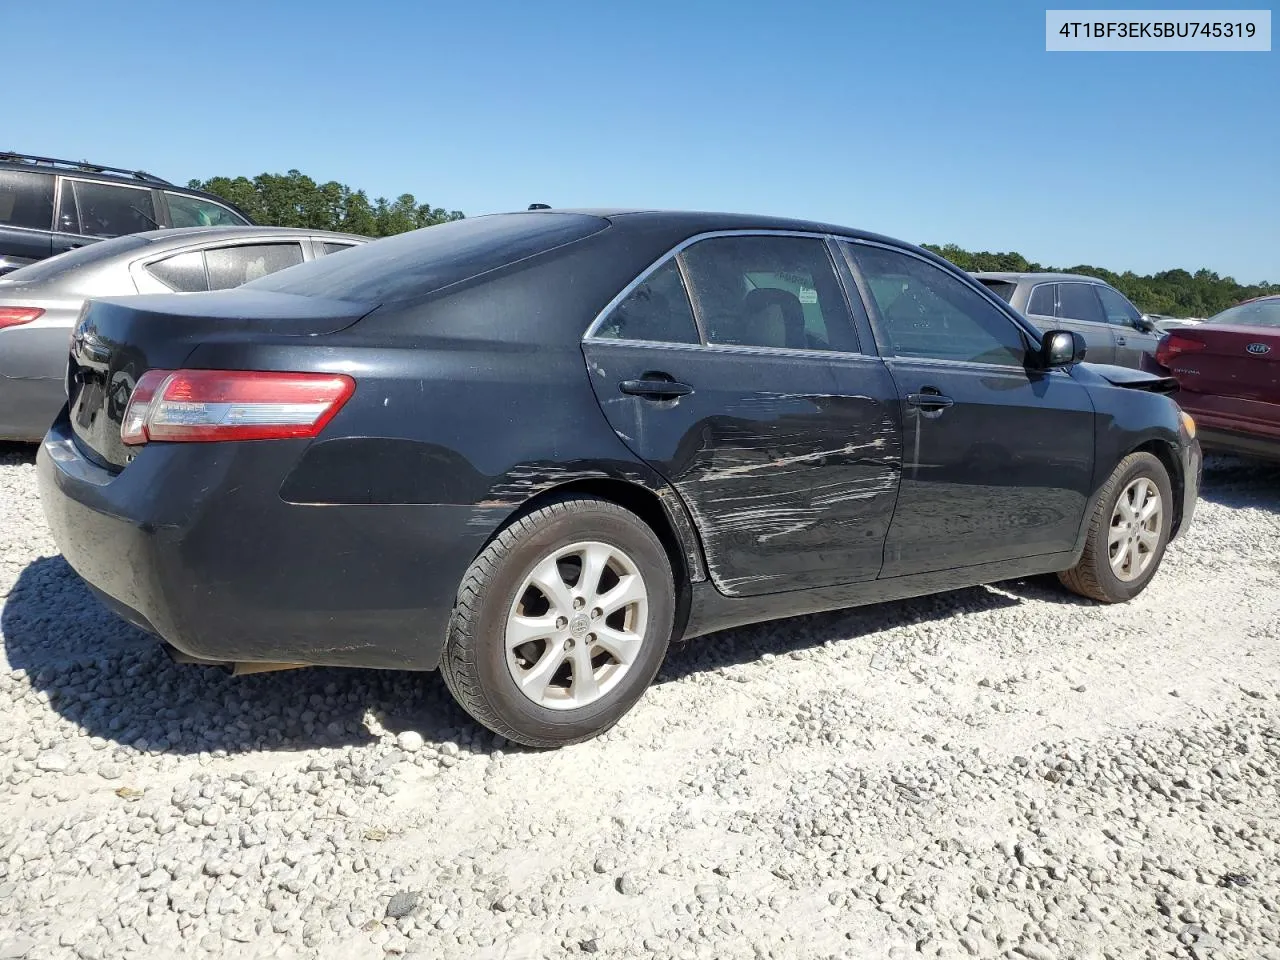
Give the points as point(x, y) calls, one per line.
point(742, 646)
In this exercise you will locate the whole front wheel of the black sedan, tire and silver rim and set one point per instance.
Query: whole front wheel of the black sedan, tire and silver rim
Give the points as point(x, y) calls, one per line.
point(1123, 552)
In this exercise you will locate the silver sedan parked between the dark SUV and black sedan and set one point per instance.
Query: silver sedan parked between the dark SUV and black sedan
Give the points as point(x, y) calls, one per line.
point(39, 304)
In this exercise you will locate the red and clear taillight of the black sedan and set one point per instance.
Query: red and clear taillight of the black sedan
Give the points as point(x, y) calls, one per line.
point(232, 405)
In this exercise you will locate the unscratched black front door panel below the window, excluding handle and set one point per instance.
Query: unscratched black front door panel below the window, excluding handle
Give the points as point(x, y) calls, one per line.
point(1002, 474)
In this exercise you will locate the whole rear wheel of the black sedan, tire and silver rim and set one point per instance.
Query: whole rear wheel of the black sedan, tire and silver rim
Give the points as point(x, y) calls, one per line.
point(584, 664)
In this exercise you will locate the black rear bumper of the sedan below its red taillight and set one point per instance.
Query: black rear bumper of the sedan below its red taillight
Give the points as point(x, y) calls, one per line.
point(194, 543)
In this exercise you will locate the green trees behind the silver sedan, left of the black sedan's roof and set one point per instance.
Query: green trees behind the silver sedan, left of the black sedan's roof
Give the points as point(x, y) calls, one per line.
point(296, 200)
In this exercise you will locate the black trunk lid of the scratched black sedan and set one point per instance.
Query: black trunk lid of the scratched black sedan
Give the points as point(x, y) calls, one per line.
point(117, 341)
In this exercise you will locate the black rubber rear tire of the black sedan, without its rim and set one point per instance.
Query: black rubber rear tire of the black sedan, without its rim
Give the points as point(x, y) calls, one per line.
point(476, 660)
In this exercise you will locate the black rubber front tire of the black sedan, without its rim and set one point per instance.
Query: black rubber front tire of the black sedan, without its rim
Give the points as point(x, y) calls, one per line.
point(1094, 577)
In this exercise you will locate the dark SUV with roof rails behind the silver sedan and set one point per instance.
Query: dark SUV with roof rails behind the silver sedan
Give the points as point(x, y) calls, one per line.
point(49, 207)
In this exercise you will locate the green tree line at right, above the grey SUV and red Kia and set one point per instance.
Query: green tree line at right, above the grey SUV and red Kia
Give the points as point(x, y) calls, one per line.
point(1172, 292)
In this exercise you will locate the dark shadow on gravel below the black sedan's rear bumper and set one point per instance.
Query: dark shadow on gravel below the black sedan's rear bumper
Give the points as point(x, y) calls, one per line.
point(116, 683)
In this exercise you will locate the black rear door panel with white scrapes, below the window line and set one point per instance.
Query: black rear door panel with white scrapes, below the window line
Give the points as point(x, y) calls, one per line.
point(788, 461)
